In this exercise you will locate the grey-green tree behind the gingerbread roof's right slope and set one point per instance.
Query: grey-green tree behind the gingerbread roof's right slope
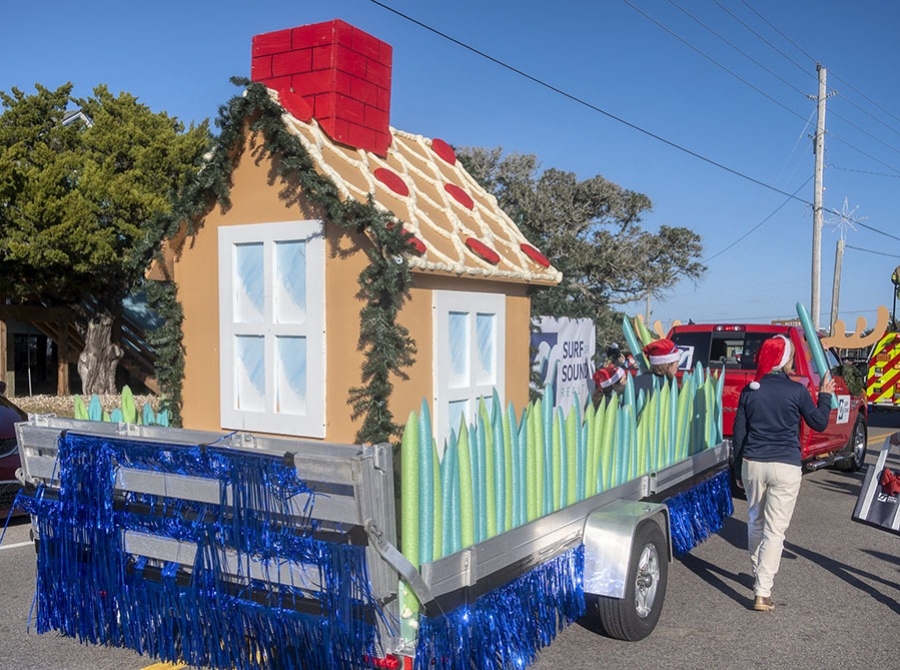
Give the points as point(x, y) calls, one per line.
point(591, 231)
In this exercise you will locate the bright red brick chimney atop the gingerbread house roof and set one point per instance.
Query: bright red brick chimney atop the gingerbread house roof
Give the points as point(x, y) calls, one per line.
point(341, 74)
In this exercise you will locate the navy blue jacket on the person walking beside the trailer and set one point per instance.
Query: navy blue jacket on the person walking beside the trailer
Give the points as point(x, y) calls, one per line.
point(767, 423)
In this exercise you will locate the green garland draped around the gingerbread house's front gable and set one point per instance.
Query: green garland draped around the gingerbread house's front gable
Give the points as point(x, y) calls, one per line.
point(384, 283)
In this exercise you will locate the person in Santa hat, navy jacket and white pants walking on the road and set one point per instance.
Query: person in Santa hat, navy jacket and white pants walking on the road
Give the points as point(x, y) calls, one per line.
point(766, 443)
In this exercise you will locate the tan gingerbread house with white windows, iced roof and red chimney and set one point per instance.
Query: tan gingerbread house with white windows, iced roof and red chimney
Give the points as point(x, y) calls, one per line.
point(269, 286)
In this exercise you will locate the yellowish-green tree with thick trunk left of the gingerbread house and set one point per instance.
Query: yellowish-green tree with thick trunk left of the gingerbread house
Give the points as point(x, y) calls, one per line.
point(85, 200)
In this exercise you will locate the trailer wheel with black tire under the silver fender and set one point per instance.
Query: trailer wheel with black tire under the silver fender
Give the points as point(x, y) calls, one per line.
point(634, 617)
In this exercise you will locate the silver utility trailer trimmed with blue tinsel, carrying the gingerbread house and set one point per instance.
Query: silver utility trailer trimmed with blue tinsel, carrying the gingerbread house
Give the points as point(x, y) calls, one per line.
point(234, 550)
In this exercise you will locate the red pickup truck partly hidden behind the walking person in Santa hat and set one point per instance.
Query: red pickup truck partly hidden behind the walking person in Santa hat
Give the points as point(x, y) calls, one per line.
point(734, 346)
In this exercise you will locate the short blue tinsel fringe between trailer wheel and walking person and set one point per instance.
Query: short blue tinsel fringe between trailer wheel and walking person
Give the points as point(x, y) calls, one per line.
point(696, 514)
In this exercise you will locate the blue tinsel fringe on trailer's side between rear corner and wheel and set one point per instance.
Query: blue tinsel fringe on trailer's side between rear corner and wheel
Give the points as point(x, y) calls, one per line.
point(506, 627)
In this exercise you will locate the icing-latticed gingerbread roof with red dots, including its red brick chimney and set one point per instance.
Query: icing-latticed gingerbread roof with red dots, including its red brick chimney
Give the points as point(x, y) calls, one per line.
point(333, 81)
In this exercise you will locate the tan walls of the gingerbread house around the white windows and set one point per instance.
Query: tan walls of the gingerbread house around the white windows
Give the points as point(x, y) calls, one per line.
point(255, 200)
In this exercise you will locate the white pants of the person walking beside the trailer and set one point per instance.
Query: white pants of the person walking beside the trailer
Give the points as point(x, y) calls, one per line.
point(772, 490)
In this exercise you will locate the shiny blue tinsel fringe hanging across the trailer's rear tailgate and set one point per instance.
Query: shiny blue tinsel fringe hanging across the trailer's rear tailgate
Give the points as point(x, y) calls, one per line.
point(89, 588)
